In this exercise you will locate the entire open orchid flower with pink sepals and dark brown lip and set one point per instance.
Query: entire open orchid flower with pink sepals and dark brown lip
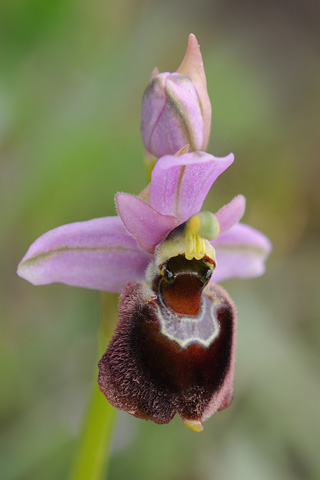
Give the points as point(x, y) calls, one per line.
point(173, 348)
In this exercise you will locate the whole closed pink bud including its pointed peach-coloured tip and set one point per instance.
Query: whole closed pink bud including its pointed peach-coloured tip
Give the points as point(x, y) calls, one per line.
point(176, 109)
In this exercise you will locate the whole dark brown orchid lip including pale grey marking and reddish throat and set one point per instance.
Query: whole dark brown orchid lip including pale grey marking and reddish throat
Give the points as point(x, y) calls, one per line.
point(173, 348)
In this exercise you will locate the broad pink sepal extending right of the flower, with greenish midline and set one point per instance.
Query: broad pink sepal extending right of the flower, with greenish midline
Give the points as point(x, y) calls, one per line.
point(241, 253)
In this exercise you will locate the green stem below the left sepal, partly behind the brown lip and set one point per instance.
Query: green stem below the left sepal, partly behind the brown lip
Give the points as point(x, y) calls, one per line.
point(92, 455)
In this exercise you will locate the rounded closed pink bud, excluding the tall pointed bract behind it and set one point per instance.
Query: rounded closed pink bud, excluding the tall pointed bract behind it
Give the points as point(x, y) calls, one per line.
point(171, 115)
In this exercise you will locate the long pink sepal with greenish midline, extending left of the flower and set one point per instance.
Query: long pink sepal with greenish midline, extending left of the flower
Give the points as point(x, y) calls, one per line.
point(96, 254)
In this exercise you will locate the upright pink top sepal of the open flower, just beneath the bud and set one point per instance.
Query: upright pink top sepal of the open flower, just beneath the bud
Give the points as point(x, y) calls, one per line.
point(179, 184)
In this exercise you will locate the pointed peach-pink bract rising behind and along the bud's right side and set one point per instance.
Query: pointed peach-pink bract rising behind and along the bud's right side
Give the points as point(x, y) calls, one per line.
point(192, 67)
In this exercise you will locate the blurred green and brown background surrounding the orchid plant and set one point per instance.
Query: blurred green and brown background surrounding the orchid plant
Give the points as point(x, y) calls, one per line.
point(72, 74)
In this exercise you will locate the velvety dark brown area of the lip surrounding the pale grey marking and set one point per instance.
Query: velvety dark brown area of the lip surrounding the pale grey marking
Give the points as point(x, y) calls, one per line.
point(151, 376)
